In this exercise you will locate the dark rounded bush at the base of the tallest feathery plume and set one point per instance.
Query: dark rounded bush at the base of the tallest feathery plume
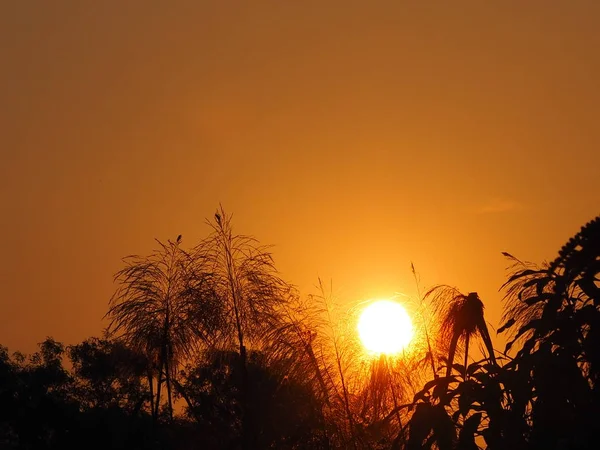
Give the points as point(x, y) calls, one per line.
point(286, 411)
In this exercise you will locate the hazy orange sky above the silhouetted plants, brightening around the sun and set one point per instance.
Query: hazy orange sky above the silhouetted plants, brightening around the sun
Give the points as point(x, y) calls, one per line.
point(356, 137)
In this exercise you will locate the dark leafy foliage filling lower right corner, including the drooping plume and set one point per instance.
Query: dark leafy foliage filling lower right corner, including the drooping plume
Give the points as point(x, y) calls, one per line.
point(546, 396)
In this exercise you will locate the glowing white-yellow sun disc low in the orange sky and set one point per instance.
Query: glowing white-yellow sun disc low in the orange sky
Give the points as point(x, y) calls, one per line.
point(385, 327)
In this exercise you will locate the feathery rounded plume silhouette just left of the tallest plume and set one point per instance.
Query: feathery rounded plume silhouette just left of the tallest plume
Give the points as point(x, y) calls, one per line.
point(164, 309)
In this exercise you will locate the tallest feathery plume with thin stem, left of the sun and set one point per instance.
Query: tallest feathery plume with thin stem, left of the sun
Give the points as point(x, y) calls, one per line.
point(252, 295)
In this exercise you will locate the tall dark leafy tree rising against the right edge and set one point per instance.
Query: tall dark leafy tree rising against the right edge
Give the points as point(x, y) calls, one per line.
point(553, 313)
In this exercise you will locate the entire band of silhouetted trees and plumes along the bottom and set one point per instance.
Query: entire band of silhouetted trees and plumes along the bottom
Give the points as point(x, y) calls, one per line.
point(208, 347)
